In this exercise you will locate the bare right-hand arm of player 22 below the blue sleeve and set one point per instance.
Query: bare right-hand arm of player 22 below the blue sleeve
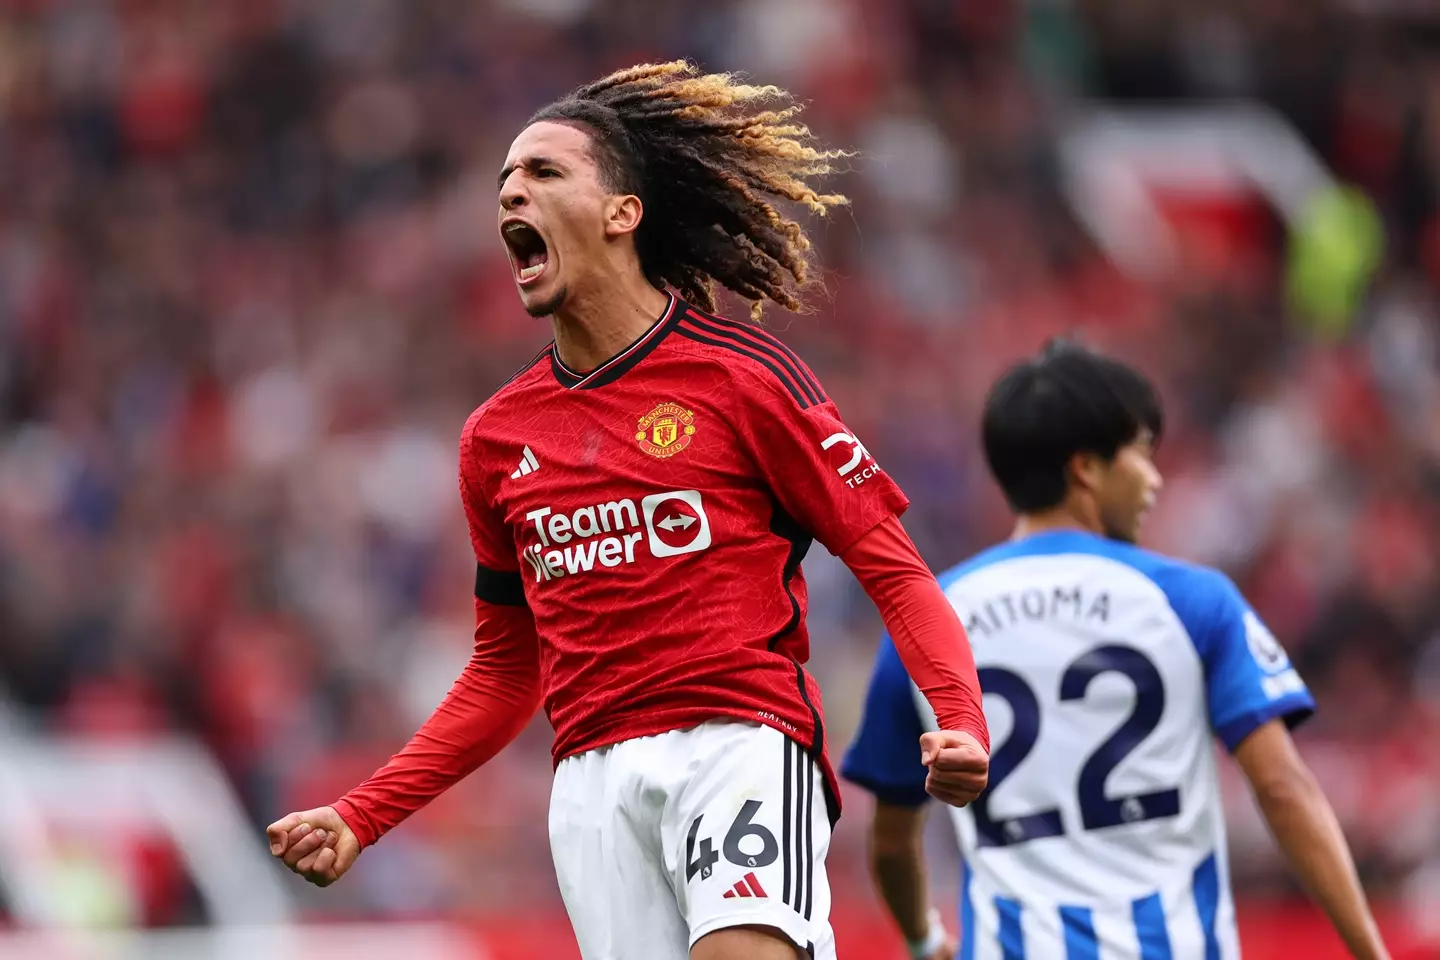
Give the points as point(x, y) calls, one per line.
point(1305, 827)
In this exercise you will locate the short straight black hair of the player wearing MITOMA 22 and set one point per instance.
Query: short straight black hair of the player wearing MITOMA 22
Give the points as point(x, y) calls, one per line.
point(1065, 401)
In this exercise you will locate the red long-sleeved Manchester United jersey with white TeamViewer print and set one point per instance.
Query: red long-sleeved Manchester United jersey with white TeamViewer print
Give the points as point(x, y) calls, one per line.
point(644, 523)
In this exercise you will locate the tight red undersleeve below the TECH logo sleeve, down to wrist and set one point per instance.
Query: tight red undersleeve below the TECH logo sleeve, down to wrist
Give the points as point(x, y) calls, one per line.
point(924, 625)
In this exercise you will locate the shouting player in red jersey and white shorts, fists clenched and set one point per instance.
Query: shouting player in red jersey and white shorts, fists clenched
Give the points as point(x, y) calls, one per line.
point(640, 500)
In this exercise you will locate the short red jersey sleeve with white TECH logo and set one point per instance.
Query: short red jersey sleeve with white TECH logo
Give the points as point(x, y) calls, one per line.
point(817, 468)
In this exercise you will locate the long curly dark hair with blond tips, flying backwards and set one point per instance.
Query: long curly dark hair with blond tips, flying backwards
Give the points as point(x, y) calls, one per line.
point(702, 158)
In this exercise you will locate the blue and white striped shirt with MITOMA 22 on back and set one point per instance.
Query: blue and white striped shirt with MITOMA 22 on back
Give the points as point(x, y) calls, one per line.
point(1107, 671)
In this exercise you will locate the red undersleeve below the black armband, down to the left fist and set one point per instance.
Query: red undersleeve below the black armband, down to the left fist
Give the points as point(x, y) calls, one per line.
point(485, 710)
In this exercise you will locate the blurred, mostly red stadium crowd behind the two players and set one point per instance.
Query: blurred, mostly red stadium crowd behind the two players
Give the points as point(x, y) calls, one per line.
point(251, 289)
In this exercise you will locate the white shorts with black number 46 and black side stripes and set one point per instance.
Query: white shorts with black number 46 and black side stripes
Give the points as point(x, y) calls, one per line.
point(660, 841)
